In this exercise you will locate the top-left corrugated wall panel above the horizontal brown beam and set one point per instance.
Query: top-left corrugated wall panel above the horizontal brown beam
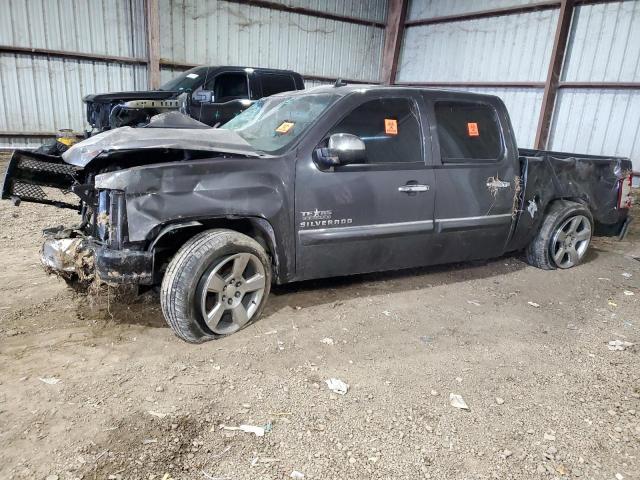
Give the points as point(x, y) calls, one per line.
point(106, 27)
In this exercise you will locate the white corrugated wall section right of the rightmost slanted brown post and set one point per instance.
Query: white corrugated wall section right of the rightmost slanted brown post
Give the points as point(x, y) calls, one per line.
point(604, 46)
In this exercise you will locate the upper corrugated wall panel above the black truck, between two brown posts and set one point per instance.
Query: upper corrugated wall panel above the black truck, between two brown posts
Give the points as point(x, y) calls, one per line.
point(225, 33)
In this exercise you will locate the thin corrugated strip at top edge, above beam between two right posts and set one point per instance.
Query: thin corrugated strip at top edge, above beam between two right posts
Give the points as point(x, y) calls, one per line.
point(420, 9)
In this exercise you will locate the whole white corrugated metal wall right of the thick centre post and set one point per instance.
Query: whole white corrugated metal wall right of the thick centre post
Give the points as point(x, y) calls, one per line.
point(604, 46)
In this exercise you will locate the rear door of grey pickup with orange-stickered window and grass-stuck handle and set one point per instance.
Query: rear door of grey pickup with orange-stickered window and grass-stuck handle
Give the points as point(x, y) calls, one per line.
point(475, 172)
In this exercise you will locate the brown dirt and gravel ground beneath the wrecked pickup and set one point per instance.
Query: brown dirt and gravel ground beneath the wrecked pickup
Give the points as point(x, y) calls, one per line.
point(97, 390)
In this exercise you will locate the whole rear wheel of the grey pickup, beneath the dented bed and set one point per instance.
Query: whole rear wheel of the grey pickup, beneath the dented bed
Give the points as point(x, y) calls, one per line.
point(554, 246)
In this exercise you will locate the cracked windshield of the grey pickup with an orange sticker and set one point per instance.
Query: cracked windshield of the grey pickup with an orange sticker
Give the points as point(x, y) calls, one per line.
point(271, 124)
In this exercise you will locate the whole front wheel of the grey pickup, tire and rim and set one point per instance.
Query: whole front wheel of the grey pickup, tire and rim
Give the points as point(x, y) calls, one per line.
point(198, 284)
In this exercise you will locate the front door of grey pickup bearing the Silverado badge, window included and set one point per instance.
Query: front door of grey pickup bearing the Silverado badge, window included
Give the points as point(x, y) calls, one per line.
point(375, 214)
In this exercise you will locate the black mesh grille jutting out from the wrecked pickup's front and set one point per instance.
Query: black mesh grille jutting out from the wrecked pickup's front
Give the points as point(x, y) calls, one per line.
point(28, 172)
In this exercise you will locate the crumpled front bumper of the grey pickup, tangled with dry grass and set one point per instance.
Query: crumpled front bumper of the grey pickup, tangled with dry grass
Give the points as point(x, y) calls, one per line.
point(81, 258)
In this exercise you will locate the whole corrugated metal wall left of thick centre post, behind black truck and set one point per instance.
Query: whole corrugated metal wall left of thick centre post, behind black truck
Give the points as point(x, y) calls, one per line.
point(42, 93)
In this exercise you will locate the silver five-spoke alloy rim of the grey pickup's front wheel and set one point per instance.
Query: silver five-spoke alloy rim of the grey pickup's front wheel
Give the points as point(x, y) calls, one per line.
point(231, 292)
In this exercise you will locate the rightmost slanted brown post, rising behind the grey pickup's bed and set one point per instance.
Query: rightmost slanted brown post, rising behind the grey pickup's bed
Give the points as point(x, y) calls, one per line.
point(553, 74)
